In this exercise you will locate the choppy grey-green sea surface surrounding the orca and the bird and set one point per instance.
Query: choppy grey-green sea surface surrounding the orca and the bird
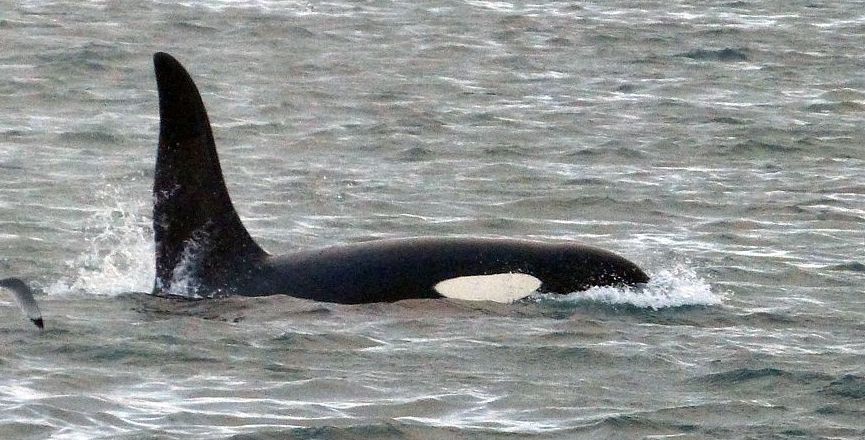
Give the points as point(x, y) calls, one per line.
point(720, 145)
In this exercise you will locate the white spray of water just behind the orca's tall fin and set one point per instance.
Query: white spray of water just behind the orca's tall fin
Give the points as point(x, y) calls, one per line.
point(119, 255)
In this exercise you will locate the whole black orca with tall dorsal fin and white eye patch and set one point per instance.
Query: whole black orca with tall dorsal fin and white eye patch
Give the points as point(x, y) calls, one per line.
point(203, 249)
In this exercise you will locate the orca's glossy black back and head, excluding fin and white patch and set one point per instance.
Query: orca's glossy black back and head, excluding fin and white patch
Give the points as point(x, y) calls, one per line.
point(391, 270)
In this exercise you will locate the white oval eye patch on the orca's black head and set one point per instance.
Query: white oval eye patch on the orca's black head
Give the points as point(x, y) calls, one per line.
point(501, 287)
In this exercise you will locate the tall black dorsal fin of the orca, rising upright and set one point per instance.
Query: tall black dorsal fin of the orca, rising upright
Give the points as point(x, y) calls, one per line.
point(199, 236)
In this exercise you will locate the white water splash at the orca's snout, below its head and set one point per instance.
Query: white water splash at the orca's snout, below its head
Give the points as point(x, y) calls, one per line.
point(676, 287)
